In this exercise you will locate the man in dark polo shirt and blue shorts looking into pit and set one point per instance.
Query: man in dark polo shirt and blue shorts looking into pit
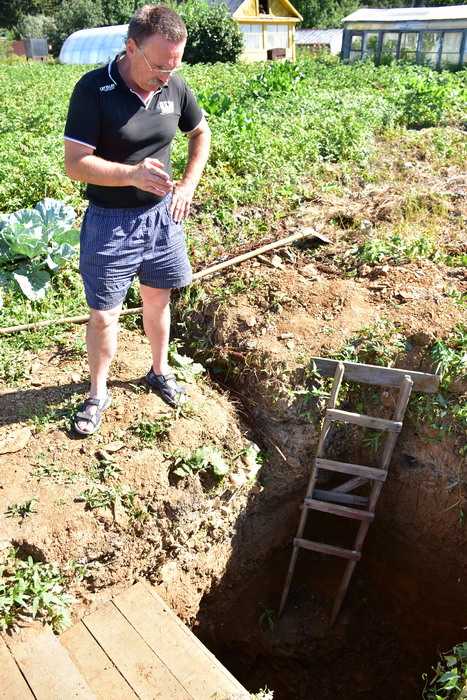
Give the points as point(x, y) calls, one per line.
point(121, 122)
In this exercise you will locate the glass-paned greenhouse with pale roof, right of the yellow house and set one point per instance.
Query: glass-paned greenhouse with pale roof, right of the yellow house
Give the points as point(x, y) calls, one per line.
point(433, 36)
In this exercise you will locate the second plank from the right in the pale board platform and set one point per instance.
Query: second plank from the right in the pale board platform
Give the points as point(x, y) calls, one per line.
point(143, 670)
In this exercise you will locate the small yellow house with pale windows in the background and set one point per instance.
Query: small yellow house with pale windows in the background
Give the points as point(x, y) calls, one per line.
point(265, 24)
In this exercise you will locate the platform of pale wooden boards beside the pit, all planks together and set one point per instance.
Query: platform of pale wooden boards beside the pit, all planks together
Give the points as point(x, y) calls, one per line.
point(132, 647)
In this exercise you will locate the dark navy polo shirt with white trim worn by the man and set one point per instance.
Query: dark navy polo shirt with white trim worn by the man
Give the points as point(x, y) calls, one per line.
point(113, 120)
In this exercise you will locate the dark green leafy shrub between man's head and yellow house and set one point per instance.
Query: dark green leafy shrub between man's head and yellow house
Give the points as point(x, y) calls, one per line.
point(212, 34)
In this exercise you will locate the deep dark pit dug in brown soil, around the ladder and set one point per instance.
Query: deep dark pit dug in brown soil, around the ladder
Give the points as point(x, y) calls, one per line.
point(404, 606)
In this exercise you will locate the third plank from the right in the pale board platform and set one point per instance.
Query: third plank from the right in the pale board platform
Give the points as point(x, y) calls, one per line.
point(97, 669)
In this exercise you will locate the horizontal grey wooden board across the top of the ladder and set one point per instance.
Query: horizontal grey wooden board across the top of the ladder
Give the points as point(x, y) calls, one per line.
point(380, 376)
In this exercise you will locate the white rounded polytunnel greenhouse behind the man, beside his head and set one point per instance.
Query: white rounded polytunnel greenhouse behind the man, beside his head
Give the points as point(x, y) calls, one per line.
point(92, 46)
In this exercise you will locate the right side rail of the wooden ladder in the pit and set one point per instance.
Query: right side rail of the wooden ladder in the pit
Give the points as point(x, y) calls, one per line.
point(399, 413)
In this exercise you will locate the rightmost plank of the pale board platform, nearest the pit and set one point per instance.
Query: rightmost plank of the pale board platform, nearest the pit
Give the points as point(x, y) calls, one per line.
point(195, 667)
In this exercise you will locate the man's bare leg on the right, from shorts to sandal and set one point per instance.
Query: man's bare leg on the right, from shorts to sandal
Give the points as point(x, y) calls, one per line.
point(156, 321)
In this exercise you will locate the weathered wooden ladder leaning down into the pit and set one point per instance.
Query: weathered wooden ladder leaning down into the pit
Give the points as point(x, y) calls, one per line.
point(339, 500)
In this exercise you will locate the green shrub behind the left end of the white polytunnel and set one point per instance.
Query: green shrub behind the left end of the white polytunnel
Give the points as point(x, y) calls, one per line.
point(74, 15)
